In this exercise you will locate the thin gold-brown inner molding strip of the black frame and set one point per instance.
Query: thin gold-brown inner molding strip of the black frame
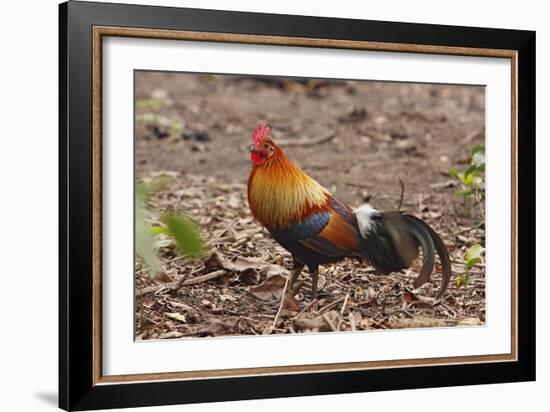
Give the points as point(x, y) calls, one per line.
point(102, 31)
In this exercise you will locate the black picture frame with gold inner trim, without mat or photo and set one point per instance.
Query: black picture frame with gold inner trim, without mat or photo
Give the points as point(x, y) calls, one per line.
point(82, 27)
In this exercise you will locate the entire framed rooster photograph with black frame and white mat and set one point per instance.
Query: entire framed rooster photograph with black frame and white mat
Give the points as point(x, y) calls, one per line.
point(256, 205)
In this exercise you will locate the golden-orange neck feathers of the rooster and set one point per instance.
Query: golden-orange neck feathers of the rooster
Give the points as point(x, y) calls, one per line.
point(279, 192)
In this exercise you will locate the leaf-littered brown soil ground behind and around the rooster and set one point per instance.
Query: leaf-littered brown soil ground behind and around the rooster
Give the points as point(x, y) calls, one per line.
point(357, 139)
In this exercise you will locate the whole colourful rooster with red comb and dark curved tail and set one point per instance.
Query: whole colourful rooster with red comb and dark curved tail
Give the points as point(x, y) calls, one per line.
point(317, 228)
